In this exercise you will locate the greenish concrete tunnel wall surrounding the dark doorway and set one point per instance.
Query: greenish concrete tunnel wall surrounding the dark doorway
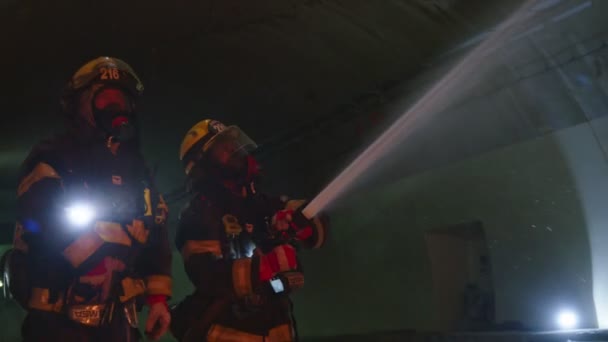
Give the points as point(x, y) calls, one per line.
point(539, 202)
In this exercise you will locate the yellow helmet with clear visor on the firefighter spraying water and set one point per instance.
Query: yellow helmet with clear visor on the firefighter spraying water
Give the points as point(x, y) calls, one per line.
point(211, 141)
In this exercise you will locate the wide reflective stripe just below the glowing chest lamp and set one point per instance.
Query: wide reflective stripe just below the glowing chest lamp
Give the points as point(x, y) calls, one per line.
point(87, 244)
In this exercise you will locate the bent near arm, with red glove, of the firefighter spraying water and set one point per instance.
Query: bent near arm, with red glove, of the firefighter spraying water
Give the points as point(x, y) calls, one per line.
point(199, 238)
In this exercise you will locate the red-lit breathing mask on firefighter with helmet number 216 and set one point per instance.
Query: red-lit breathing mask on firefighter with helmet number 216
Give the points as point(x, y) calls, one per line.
point(114, 113)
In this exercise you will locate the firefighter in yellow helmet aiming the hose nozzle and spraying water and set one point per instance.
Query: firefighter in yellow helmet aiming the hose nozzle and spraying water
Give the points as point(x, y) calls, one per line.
point(238, 244)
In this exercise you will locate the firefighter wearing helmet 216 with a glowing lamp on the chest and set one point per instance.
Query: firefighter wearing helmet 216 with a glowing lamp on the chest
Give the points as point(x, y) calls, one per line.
point(91, 245)
